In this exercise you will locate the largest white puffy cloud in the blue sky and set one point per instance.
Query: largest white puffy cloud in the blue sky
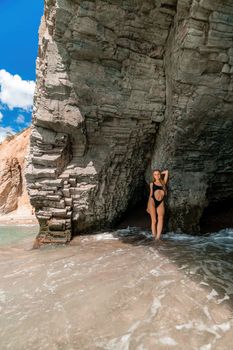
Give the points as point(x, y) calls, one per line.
point(16, 92)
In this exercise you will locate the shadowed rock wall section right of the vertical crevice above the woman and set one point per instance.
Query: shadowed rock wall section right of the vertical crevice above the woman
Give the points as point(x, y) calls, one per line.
point(195, 141)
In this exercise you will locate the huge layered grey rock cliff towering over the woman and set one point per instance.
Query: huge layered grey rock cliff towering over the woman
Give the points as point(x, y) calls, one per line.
point(123, 87)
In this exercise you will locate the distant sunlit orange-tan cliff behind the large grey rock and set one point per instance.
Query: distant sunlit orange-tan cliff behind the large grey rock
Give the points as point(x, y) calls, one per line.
point(14, 198)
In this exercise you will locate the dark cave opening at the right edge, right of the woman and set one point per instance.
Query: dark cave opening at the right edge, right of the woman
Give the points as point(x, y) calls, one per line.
point(217, 216)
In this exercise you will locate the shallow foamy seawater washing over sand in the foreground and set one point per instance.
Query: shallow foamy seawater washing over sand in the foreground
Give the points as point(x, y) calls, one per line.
point(117, 290)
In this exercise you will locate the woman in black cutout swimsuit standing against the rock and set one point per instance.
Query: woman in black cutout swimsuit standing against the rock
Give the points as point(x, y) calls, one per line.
point(155, 205)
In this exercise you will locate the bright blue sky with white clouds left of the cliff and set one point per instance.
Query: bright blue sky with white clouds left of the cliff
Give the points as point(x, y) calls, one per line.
point(19, 25)
